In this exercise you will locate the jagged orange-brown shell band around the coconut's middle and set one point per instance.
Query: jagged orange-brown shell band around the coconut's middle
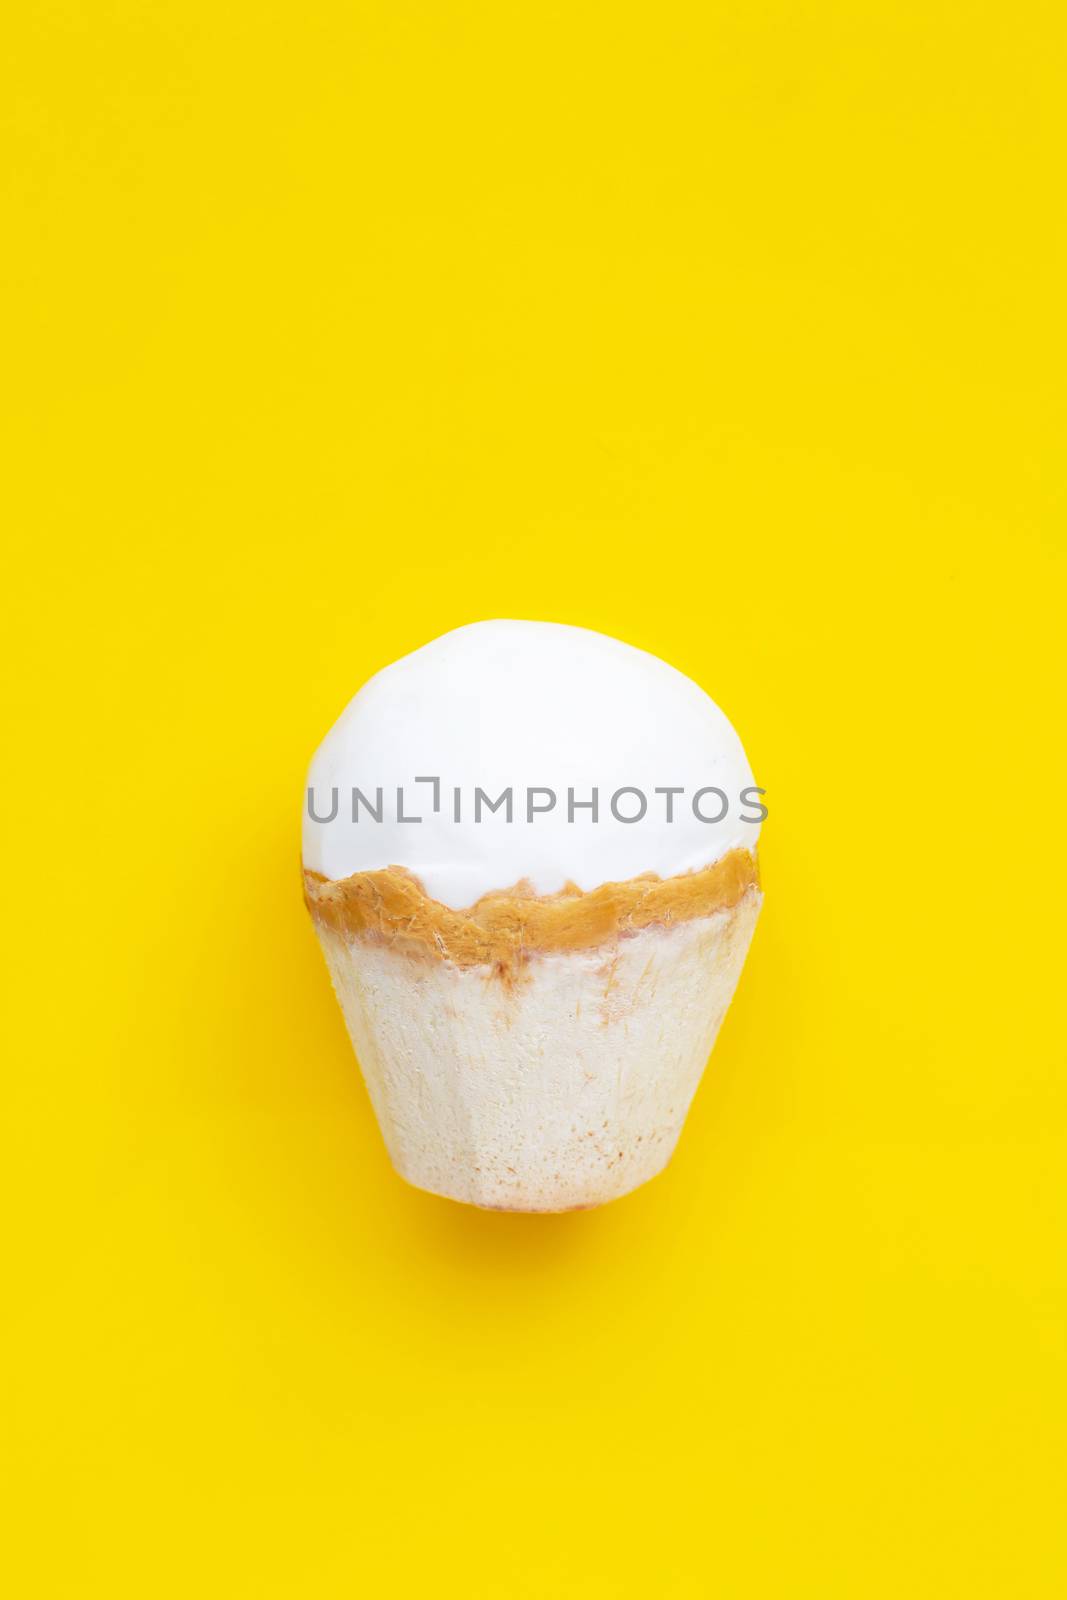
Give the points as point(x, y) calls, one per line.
point(508, 926)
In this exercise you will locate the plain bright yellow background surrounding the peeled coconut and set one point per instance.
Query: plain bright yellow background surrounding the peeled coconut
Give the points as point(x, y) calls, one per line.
point(733, 330)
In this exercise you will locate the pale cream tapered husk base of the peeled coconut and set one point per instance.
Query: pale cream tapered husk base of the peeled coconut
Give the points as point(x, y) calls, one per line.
point(556, 1094)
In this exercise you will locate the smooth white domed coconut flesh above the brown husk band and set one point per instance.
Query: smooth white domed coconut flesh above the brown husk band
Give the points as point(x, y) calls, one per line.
point(551, 714)
